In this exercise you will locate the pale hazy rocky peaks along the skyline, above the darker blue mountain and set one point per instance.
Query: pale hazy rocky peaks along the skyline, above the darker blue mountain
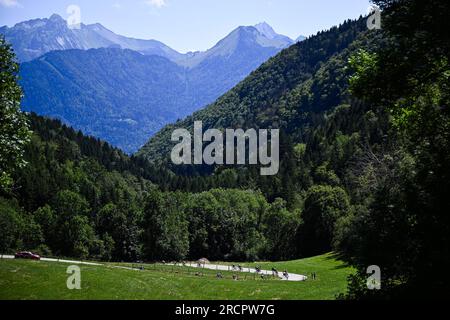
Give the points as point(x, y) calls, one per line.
point(33, 38)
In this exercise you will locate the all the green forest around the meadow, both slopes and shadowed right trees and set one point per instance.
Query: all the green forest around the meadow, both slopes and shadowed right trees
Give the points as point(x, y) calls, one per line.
point(364, 165)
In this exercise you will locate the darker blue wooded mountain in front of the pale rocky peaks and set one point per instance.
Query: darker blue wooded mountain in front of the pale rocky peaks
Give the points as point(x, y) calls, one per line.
point(117, 95)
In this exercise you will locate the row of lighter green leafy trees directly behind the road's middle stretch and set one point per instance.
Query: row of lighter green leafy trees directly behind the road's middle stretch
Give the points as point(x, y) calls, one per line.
point(219, 224)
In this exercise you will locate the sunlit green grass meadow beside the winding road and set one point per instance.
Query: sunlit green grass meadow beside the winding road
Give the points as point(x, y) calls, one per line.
point(47, 281)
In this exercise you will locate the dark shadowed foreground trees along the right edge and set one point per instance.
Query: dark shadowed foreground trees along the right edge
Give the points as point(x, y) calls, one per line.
point(403, 225)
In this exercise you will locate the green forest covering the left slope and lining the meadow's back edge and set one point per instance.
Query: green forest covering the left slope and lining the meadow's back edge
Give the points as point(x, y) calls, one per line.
point(77, 197)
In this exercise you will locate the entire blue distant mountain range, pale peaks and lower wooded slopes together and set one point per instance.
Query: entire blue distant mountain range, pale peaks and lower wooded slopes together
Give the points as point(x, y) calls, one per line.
point(124, 90)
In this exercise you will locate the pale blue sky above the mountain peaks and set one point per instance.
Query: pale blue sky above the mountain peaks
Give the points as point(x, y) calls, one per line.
point(190, 25)
